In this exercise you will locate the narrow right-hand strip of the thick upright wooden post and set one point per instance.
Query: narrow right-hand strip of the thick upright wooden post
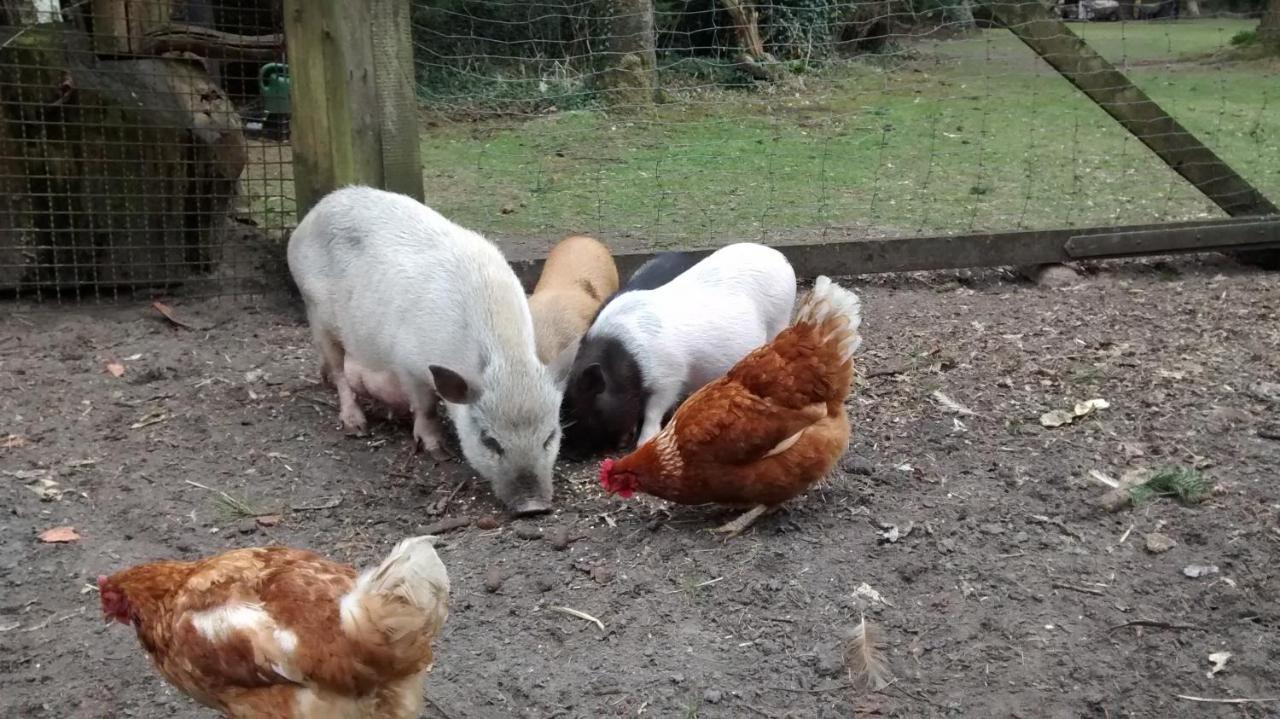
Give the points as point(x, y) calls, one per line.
point(397, 98)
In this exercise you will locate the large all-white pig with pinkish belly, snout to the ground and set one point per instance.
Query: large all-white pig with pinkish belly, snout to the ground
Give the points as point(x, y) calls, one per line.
point(436, 310)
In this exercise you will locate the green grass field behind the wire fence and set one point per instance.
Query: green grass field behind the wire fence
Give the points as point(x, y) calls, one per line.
point(962, 135)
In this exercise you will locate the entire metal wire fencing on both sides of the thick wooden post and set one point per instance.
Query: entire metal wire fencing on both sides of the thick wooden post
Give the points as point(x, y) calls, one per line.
point(144, 144)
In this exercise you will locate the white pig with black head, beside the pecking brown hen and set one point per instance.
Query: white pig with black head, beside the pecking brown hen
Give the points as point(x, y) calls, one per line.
point(650, 347)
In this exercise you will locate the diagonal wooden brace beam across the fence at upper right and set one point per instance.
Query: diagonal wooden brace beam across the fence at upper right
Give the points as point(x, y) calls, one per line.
point(1052, 39)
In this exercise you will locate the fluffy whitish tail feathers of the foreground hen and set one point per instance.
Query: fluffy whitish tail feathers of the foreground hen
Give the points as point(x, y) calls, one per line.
point(412, 575)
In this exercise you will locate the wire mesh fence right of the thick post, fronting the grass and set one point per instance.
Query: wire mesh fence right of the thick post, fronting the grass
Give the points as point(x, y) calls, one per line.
point(693, 122)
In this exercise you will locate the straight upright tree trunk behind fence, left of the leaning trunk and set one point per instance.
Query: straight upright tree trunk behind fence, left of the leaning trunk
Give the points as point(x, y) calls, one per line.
point(629, 74)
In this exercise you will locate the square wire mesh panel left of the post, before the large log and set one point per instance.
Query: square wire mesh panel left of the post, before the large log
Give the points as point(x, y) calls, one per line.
point(143, 146)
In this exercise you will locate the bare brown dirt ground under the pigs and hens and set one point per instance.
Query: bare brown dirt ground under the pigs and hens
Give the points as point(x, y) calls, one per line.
point(1009, 596)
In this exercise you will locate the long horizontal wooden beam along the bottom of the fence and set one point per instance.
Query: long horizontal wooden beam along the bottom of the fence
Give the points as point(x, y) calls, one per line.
point(993, 250)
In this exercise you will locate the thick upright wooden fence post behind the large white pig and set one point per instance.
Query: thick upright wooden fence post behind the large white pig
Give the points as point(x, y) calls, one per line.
point(354, 117)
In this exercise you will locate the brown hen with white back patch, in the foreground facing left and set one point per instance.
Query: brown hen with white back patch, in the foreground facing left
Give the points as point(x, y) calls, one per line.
point(284, 634)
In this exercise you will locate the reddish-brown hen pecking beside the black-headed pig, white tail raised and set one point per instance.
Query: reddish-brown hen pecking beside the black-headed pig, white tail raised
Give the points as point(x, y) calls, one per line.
point(767, 431)
